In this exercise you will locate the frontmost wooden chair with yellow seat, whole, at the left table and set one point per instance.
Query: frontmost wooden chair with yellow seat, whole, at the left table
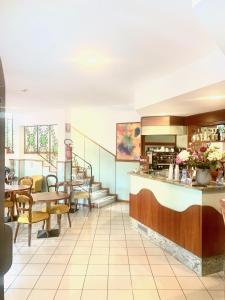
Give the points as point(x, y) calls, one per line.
point(26, 215)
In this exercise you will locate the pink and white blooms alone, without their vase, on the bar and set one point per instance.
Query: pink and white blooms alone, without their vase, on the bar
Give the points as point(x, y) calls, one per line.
point(206, 158)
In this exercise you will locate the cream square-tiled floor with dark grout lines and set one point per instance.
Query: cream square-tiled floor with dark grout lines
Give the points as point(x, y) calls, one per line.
point(102, 257)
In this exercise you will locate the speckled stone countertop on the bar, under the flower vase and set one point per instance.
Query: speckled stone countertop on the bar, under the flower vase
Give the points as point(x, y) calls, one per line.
point(212, 187)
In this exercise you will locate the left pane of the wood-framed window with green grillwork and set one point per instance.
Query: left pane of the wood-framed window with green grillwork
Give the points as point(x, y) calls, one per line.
point(30, 139)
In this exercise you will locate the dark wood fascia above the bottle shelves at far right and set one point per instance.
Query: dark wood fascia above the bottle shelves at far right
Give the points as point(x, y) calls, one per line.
point(206, 119)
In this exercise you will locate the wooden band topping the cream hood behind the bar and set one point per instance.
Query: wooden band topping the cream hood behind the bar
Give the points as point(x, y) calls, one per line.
point(162, 121)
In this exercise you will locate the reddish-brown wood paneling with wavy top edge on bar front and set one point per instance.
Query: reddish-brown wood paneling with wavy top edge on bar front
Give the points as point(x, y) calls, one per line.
point(184, 228)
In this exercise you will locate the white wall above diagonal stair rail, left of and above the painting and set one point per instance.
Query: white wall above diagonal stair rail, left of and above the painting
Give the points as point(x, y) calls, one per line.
point(99, 123)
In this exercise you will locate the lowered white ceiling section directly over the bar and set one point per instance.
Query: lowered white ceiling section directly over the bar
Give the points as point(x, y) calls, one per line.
point(206, 99)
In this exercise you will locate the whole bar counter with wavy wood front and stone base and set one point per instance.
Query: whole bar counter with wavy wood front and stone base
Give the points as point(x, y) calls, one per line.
point(184, 220)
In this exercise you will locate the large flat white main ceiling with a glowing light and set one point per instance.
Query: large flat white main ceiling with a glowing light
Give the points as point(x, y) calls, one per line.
point(76, 52)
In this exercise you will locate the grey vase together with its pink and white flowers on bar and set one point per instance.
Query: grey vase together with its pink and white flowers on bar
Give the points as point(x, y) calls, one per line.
point(206, 159)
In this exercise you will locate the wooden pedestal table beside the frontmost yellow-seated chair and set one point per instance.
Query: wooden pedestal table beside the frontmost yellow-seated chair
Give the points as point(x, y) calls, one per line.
point(48, 198)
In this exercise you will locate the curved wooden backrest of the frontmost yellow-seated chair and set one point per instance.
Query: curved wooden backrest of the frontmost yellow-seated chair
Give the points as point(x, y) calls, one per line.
point(24, 203)
